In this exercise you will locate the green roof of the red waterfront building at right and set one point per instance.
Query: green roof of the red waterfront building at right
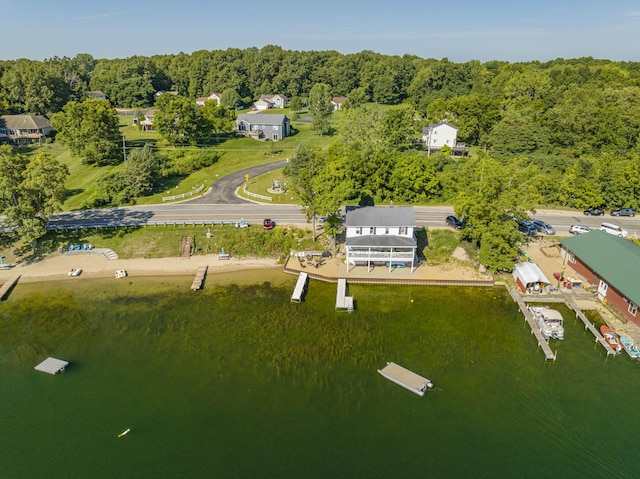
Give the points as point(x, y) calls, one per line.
point(614, 259)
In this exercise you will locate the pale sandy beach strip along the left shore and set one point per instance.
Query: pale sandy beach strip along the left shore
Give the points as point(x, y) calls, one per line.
point(56, 266)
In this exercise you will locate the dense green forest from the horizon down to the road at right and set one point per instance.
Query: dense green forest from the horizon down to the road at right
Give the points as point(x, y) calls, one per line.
point(562, 133)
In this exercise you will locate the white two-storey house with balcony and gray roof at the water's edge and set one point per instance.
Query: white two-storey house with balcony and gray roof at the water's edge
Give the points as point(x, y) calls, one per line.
point(381, 235)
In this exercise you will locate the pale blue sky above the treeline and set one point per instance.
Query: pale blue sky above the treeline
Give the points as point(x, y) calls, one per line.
point(463, 30)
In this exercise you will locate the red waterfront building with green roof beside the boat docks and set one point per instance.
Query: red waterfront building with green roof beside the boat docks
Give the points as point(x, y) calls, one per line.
point(610, 264)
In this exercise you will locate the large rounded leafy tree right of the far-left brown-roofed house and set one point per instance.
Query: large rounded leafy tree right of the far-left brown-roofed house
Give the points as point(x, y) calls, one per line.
point(91, 130)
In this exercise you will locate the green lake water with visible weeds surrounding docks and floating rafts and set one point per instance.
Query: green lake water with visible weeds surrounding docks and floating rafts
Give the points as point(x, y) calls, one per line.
point(235, 381)
